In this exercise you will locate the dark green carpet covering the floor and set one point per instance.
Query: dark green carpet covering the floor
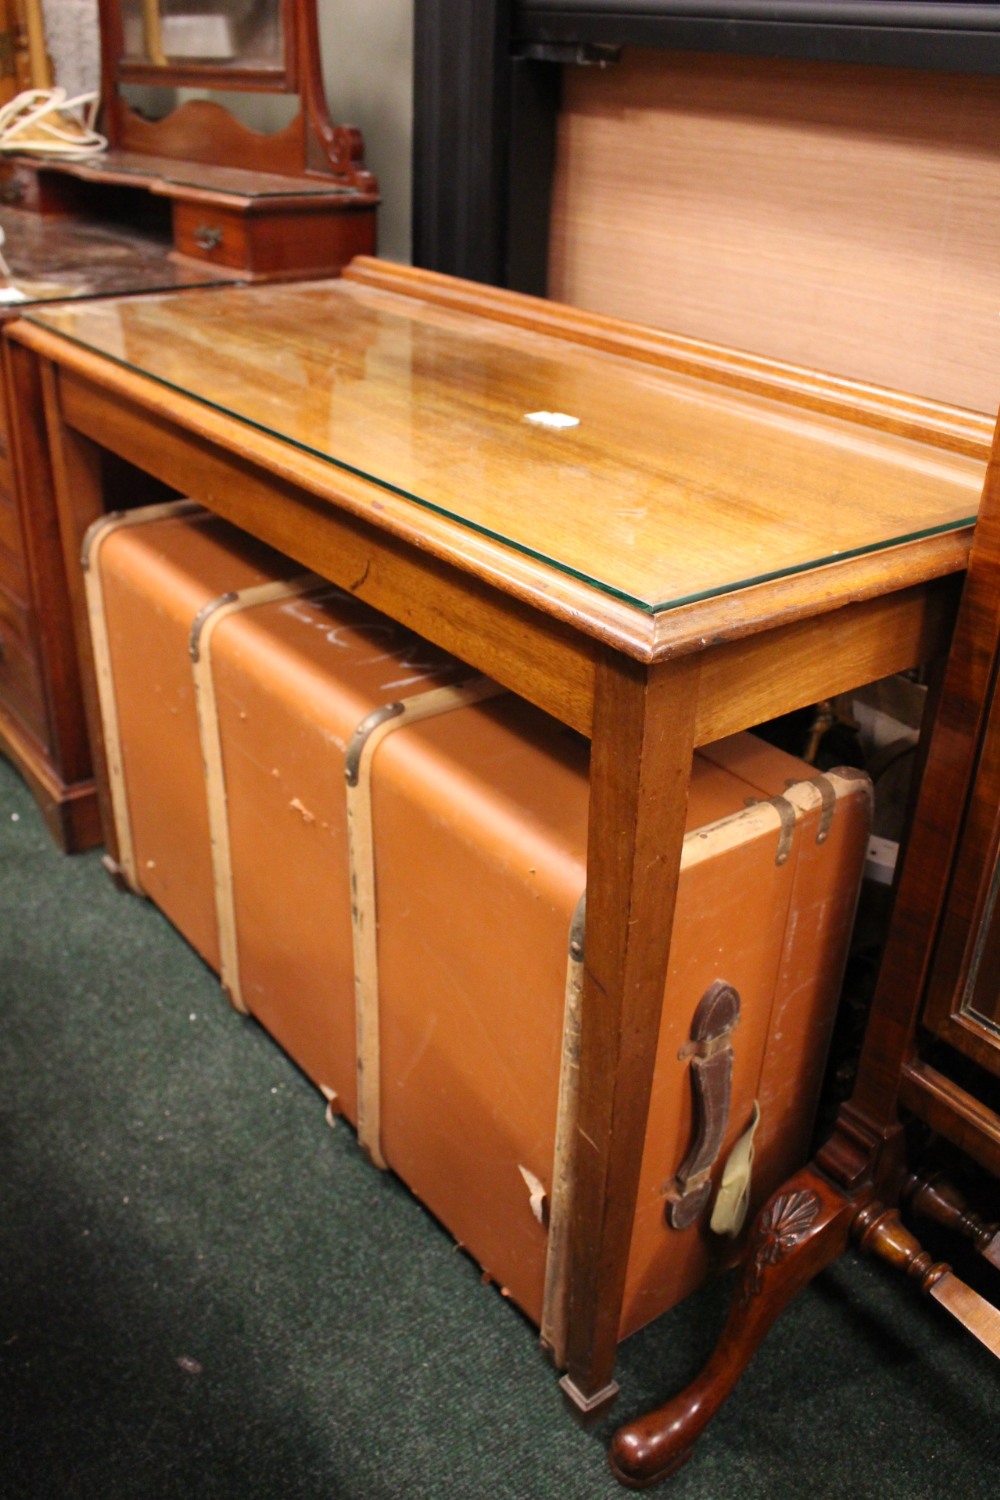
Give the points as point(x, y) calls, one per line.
point(206, 1292)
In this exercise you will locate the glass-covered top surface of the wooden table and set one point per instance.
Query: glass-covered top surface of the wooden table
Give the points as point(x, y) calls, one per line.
point(657, 488)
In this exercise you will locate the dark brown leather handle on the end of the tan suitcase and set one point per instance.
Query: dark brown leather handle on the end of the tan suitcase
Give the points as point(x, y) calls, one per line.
point(711, 1088)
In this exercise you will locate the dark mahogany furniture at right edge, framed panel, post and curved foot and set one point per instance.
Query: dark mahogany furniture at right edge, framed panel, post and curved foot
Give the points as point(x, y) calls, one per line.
point(932, 1051)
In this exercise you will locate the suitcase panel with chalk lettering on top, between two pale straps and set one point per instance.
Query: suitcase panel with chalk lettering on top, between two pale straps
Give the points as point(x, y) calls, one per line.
point(293, 685)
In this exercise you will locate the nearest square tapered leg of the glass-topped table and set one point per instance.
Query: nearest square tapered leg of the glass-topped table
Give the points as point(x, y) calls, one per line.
point(641, 766)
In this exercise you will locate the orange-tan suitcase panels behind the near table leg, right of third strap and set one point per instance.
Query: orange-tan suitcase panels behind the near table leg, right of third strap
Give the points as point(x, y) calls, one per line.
point(473, 961)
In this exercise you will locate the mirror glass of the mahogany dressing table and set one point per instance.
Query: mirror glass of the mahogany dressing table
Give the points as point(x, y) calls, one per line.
point(220, 34)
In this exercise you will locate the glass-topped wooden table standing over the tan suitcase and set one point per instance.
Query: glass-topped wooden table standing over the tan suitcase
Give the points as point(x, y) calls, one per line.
point(716, 541)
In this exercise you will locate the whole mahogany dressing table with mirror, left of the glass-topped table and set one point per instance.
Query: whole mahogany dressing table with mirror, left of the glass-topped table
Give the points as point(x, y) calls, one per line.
point(190, 199)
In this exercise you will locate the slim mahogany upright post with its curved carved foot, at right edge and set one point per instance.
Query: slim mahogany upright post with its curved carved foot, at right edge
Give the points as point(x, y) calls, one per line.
point(864, 1154)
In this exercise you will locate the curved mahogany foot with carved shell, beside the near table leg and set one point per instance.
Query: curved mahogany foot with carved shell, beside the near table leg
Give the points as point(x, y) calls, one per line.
point(800, 1231)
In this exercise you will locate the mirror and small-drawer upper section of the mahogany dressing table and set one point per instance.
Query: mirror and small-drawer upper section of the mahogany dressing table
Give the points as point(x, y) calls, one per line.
point(296, 202)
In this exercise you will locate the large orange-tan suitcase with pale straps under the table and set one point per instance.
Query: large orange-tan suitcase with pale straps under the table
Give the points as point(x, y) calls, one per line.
point(398, 898)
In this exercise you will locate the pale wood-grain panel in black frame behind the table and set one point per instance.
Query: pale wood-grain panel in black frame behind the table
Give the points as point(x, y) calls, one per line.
point(845, 218)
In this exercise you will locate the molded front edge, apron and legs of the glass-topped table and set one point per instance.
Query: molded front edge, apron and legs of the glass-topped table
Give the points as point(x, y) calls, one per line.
point(647, 689)
